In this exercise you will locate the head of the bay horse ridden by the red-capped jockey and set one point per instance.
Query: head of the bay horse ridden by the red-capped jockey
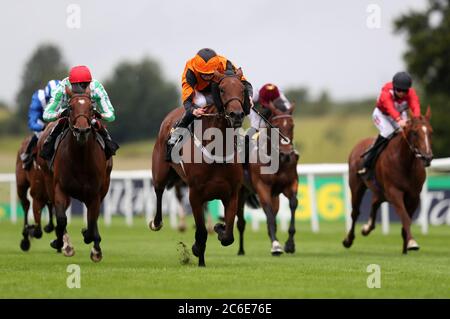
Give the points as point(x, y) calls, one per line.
point(81, 112)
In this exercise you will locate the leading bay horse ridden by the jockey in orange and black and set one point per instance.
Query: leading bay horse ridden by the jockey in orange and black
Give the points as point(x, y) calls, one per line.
point(206, 181)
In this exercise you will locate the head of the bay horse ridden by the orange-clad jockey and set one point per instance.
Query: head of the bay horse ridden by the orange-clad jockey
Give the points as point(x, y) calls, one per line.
point(228, 93)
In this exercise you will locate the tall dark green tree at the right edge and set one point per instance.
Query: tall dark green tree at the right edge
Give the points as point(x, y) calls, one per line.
point(427, 57)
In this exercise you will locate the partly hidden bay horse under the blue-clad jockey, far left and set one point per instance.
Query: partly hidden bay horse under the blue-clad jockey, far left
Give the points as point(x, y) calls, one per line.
point(33, 180)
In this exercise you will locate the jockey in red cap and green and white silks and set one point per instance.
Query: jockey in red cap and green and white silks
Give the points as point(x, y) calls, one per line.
point(78, 81)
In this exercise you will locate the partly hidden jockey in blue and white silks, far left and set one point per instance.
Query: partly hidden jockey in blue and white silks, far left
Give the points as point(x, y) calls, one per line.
point(39, 101)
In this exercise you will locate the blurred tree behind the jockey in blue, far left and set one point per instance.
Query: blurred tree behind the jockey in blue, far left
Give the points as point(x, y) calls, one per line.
point(46, 63)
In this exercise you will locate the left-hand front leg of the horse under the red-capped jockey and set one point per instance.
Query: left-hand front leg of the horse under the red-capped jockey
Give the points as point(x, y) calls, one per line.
point(62, 241)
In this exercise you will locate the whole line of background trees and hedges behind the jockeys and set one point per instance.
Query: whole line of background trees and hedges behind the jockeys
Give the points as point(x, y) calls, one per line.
point(143, 96)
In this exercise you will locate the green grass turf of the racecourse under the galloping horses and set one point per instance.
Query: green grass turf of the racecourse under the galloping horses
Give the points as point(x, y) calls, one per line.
point(139, 263)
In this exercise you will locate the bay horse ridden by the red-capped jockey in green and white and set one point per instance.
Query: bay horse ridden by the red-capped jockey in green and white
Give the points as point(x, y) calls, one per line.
point(81, 171)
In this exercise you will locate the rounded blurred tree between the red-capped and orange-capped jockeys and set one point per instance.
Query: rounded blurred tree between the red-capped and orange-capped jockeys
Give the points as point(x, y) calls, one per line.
point(141, 97)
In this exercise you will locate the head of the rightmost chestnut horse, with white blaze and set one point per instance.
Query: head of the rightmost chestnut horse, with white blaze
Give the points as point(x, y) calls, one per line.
point(418, 133)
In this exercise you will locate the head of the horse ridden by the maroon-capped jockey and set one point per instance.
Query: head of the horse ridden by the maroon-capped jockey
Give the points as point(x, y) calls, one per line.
point(284, 121)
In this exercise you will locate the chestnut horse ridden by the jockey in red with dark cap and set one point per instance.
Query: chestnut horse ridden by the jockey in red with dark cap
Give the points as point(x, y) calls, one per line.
point(399, 174)
